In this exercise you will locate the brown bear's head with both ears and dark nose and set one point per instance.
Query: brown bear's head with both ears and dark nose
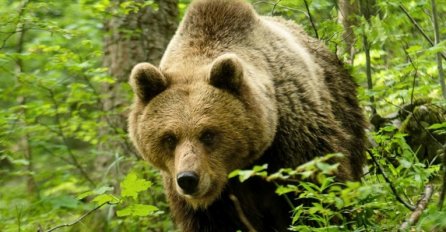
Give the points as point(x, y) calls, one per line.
point(197, 129)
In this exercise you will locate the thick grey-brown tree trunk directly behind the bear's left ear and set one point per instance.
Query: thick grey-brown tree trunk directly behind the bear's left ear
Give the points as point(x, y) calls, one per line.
point(136, 37)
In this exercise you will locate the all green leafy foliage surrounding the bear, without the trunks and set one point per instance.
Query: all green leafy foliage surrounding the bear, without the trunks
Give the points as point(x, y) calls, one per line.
point(56, 163)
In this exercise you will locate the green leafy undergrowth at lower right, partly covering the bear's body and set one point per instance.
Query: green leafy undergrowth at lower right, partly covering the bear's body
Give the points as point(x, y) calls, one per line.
point(327, 205)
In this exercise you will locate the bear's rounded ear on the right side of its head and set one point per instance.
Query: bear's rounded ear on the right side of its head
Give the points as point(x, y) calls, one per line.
point(227, 73)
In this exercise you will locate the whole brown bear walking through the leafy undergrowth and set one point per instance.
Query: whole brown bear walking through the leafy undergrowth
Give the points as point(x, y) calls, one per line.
point(233, 90)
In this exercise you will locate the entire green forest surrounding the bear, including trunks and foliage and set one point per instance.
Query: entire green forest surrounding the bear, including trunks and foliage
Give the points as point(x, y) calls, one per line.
point(66, 161)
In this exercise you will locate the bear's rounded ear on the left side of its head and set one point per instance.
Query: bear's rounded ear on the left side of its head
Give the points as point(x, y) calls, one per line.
point(147, 81)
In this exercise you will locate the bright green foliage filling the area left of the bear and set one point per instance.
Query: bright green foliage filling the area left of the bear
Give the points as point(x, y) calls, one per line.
point(53, 156)
